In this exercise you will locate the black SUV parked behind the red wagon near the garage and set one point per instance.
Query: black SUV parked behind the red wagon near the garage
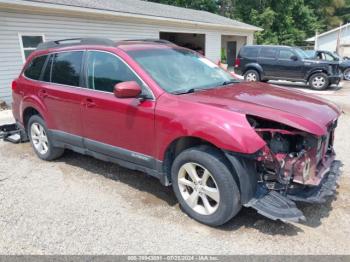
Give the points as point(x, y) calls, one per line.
point(263, 63)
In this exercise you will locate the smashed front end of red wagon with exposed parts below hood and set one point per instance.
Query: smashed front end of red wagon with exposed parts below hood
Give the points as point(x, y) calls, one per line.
point(293, 166)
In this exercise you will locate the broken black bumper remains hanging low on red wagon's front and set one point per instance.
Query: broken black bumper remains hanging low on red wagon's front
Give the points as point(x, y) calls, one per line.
point(281, 205)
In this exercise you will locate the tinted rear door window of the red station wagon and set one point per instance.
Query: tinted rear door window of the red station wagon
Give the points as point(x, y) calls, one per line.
point(66, 67)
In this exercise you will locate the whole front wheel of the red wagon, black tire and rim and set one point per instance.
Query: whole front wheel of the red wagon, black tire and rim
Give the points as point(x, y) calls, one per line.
point(224, 200)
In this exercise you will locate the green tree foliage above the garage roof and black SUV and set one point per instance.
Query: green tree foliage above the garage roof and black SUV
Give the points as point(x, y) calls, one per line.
point(287, 22)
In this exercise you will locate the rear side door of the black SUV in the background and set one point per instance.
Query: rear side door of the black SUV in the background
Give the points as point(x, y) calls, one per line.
point(268, 61)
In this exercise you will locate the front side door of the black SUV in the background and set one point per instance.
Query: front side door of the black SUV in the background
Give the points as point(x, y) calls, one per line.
point(290, 65)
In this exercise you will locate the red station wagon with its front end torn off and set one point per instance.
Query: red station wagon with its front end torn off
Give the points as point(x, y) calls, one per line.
point(152, 106)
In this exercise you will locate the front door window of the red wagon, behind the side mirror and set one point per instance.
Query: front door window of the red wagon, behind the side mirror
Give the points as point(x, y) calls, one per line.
point(105, 70)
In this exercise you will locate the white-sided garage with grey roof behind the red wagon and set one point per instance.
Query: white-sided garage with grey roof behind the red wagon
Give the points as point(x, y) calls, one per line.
point(25, 24)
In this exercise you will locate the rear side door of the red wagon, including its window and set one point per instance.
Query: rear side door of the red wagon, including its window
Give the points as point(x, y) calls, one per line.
point(62, 93)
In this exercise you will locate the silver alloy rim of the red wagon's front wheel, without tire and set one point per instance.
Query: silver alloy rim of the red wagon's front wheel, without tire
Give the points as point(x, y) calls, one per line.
point(198, 188)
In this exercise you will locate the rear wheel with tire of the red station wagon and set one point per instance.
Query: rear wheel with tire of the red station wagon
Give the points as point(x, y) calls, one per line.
point(40, 139)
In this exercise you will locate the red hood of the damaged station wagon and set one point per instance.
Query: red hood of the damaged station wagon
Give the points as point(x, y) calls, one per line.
point(291, 107)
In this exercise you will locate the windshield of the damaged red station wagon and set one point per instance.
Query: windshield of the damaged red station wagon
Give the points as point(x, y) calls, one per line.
point(180, 70)
